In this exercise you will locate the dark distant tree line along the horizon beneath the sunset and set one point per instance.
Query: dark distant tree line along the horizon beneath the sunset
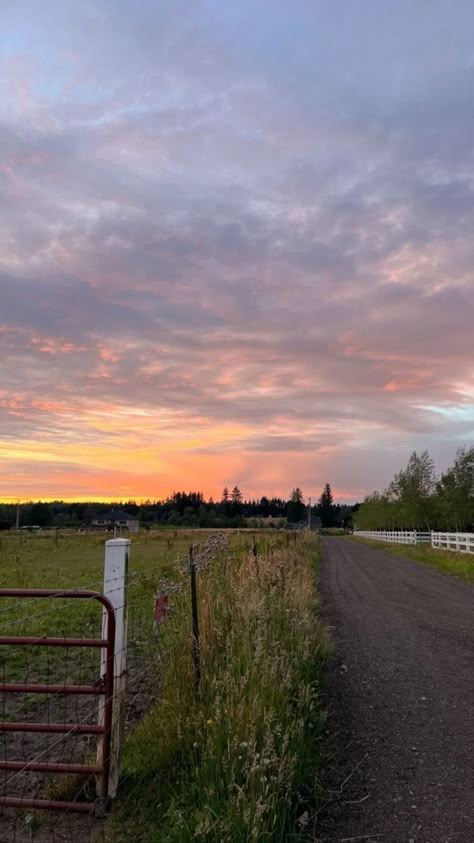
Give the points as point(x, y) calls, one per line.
point(187, 509)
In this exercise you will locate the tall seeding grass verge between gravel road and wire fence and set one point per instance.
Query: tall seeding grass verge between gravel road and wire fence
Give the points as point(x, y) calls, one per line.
point(238, 760)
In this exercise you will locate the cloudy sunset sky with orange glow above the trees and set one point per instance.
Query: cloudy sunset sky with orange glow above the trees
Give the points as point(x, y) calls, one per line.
point(236, 244)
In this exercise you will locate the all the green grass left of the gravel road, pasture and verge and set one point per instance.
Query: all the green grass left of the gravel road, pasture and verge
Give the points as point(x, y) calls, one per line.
point(250, 734)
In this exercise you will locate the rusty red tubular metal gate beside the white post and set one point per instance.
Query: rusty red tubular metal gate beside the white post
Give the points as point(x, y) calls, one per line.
point(104, 686)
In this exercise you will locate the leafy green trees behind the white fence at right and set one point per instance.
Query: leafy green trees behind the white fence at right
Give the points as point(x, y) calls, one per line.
point(419, 499)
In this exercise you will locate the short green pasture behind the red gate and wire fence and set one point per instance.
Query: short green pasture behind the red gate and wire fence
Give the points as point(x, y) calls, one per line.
point(73, 561)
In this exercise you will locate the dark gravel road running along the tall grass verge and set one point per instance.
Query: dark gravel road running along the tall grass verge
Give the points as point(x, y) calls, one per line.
point(401, 698)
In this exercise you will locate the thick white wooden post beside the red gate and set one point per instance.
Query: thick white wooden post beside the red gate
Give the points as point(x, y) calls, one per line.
point(117, 553)
